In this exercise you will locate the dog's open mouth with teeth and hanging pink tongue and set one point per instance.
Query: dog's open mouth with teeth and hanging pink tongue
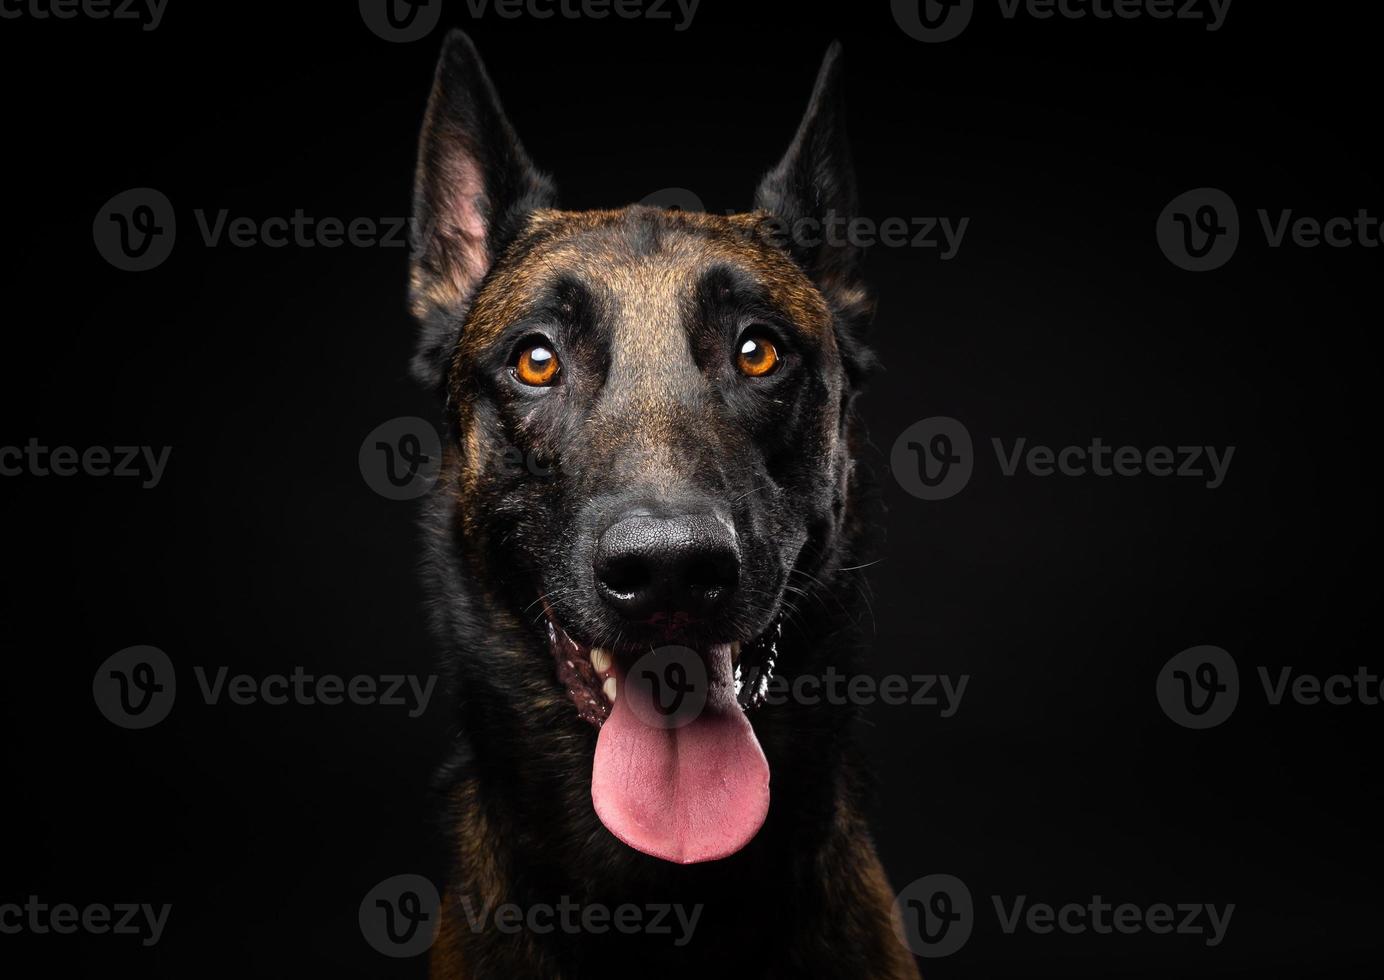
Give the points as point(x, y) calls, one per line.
point(679, 772)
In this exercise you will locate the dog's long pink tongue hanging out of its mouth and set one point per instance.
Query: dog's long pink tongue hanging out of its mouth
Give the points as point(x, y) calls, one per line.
point(687, 795)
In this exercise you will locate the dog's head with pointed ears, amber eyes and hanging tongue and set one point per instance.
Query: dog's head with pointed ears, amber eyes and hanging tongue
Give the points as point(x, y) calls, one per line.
point(650, 419)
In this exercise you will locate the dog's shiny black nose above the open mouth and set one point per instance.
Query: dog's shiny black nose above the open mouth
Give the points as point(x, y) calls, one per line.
point(648, 565)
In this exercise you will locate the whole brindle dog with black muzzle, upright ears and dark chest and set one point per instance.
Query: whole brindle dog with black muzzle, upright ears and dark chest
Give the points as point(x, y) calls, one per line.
point(648, 499)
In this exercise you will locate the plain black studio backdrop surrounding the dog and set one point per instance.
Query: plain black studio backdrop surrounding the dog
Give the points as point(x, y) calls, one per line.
point(1059, 320)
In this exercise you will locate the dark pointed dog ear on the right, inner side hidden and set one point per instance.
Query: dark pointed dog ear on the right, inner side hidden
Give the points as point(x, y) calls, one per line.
point(814, 185)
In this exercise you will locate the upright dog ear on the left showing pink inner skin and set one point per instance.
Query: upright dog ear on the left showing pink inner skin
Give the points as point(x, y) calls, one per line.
point(474, 189)
